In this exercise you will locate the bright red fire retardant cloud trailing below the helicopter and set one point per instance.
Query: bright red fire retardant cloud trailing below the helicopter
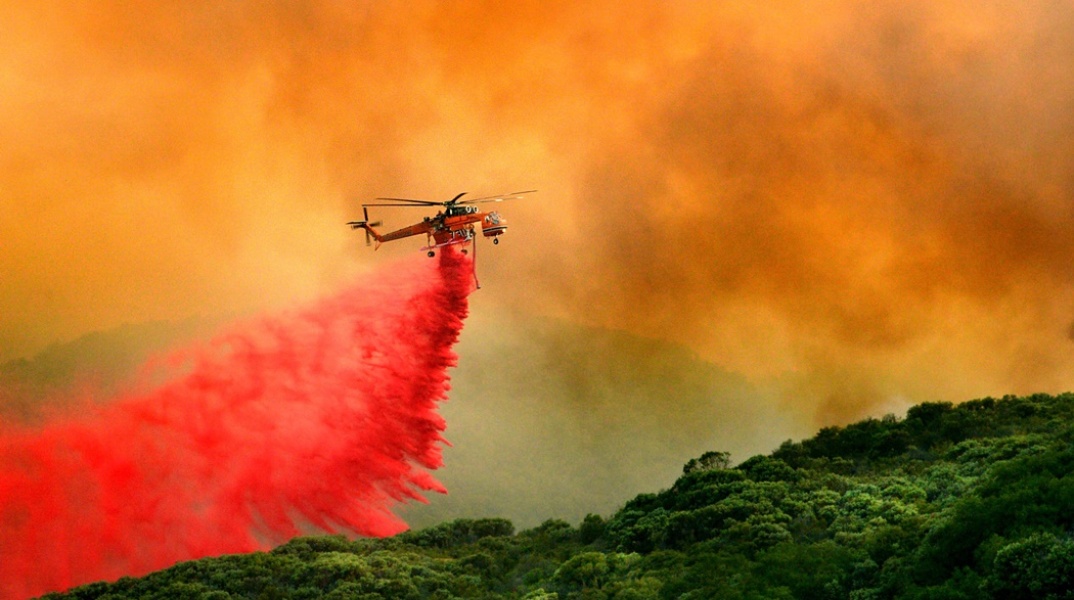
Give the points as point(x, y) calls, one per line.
point(318, 420)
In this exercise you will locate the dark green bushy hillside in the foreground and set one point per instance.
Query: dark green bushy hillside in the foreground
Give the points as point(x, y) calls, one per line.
point(975, 501)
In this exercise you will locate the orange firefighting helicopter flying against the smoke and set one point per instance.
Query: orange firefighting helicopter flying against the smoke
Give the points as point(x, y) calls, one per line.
point(457, 224)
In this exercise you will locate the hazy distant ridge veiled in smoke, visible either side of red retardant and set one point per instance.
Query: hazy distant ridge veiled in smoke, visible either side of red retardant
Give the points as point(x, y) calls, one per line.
point(546, 418)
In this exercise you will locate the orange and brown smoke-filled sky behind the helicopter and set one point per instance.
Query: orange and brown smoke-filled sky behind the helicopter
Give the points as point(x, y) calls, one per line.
point(855, 207)
